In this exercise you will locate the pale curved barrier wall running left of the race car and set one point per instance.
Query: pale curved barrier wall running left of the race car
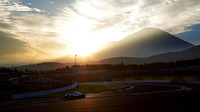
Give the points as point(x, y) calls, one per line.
point(39, 93)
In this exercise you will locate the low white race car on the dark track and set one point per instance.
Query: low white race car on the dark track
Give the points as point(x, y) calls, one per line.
point(74, 95)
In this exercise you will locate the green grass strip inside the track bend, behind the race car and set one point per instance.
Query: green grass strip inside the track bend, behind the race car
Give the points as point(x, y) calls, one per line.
point(91, 88)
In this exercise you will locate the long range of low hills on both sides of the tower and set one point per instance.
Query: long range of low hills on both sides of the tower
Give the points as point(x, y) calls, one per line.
point(192, 53)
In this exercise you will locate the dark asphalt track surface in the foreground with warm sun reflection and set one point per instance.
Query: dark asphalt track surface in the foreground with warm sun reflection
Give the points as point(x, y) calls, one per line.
point(141, 98)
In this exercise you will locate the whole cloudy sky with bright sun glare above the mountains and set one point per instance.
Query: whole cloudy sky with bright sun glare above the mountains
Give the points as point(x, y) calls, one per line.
point(35, 30)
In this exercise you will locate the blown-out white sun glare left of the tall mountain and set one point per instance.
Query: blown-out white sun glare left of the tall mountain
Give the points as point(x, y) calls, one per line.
point(82, 39)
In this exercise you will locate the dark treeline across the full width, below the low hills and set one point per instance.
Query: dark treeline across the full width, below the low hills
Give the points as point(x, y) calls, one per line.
point(121, 66)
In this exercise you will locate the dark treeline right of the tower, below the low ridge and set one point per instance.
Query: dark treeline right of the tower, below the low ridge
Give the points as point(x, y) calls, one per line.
point(160, 65)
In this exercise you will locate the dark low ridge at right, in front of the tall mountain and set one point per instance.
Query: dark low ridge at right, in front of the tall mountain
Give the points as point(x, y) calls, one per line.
point(192, 53)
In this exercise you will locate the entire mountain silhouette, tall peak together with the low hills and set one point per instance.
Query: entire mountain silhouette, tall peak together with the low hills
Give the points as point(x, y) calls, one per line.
point(146, 46)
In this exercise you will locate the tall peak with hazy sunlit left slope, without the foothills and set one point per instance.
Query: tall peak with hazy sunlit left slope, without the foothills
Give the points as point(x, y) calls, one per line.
point(145, 43)
